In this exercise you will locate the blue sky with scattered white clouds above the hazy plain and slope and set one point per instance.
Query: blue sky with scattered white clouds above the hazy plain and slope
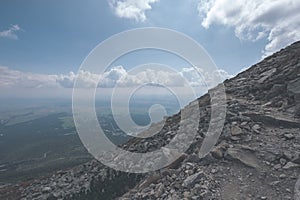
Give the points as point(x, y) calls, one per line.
point(43, 43)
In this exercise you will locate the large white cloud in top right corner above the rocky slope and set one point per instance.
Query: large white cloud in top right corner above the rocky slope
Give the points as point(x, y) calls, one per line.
point(277, 21)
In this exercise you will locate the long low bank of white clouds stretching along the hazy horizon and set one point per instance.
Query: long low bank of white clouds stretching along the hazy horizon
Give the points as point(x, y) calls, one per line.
point(116, 76)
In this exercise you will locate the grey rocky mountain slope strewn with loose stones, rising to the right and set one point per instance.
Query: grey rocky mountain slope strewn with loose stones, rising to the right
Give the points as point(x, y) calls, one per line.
point(256, 157)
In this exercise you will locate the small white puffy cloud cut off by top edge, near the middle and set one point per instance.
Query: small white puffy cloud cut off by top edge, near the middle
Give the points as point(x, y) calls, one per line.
point(131, 9)
